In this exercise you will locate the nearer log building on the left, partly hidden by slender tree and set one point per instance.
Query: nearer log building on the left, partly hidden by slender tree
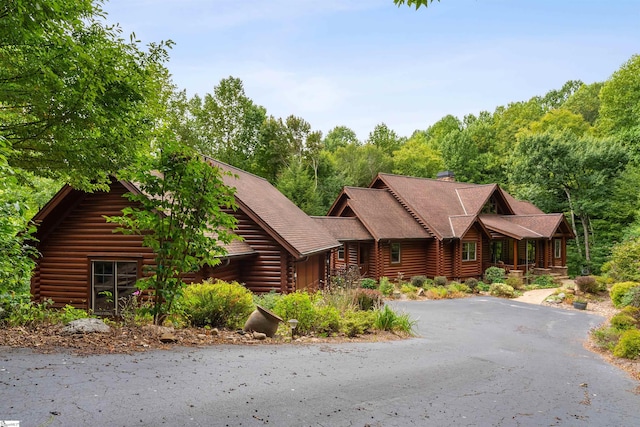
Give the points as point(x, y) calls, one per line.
point(282, 249)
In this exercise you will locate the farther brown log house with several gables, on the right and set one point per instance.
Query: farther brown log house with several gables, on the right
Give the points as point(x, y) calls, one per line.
point(406, 226)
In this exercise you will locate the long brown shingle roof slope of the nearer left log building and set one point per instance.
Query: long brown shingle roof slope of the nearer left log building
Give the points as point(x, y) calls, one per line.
point(282, 219)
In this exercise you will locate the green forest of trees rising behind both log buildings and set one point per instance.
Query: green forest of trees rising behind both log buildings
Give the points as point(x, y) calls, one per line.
point(79, 103)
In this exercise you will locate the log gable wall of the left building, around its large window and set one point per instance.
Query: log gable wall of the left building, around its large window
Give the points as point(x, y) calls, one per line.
point(64, 267)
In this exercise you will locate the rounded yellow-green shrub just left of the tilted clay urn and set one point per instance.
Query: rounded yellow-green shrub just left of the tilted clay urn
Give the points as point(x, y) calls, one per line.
point(218, 304)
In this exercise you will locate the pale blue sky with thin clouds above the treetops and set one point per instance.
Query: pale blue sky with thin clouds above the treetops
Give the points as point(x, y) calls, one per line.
point(358, 63)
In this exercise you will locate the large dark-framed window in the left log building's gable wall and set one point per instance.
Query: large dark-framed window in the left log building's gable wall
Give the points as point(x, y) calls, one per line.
point(111, 281)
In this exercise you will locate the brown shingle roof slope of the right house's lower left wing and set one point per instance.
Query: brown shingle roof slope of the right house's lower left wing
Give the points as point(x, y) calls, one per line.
point(382, 215)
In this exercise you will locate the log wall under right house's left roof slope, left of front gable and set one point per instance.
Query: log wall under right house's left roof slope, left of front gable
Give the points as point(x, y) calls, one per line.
point(413, 256)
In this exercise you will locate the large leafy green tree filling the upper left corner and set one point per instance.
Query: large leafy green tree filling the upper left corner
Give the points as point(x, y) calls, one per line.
point(76, 100)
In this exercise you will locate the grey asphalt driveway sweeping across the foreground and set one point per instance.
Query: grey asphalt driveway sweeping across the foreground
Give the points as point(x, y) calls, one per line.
point(479, 362)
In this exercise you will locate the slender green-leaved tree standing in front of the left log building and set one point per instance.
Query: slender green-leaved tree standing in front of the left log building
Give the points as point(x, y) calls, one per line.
point(179, 208)
